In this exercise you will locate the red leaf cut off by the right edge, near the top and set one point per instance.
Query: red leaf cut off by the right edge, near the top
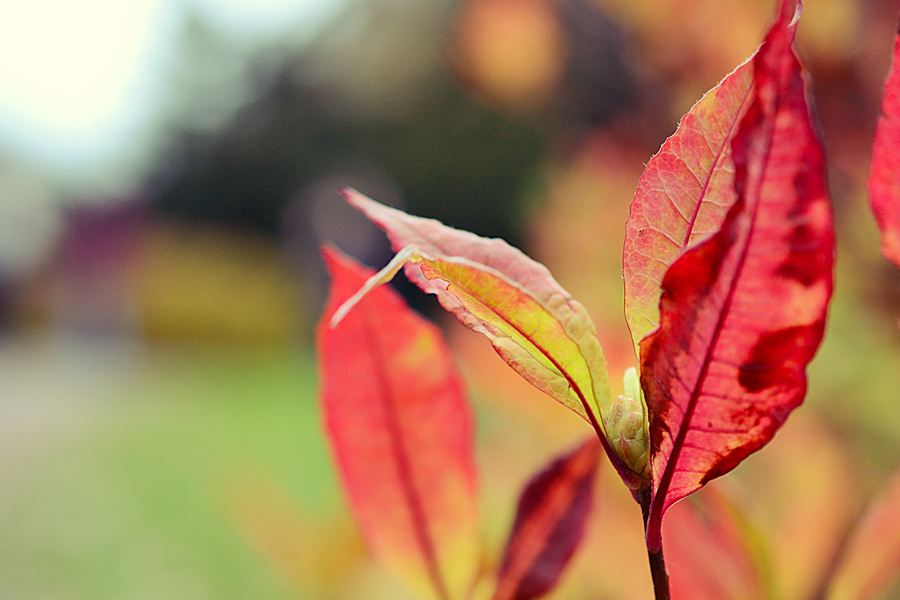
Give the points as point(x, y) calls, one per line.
point(884, 177)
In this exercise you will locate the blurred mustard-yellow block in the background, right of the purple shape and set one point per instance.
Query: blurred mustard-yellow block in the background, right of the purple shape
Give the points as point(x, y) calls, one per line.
point(213, 284)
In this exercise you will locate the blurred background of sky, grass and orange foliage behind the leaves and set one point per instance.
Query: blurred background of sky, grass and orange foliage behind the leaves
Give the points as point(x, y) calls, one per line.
point(168, 170)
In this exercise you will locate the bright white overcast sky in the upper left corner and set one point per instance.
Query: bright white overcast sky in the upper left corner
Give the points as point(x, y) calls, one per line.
point(78, 80)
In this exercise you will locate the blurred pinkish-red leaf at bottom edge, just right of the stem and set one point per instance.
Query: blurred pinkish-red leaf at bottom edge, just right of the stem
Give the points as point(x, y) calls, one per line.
point(715, 550)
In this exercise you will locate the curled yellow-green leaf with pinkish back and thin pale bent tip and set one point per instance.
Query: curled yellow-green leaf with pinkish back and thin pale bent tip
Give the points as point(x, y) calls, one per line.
point(494, 289)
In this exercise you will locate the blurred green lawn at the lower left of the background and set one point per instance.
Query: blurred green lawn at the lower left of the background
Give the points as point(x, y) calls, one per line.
point(130, 498)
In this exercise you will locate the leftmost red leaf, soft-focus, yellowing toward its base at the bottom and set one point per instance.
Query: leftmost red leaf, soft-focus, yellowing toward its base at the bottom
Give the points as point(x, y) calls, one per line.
point(401, 432)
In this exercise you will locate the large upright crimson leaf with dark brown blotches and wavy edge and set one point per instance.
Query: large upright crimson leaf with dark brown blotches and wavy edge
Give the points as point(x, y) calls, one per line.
point(743, 313)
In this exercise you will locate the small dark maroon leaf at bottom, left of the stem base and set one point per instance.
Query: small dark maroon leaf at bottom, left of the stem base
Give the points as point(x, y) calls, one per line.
point(549, 525)
